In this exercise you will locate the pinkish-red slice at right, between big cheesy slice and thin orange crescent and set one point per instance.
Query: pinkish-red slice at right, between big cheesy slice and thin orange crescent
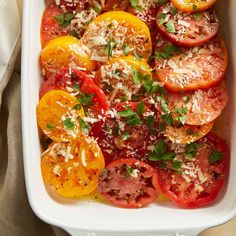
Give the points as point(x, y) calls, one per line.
point(201, 106)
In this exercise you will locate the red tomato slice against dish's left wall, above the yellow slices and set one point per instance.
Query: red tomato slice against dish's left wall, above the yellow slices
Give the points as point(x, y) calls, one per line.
point(50, 28)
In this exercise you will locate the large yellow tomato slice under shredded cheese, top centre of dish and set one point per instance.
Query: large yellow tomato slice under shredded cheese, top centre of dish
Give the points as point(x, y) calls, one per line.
point(116, 33)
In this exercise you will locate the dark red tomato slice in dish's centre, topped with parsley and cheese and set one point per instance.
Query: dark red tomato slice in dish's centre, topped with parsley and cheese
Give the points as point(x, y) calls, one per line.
point(126, 135)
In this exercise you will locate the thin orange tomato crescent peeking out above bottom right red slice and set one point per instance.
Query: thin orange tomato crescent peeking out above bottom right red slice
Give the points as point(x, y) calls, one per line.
point(187, 133)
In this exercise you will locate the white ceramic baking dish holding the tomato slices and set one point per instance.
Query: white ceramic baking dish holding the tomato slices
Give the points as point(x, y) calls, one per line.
point(94, 218)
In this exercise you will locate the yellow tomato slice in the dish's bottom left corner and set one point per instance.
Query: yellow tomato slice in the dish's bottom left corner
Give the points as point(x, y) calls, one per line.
point(73, 169)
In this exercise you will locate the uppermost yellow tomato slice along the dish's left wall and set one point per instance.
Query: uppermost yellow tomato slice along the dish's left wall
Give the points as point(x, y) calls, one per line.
point(63, 52)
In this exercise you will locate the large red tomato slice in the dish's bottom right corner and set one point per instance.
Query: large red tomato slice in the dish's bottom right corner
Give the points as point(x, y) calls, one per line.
point(201, 172)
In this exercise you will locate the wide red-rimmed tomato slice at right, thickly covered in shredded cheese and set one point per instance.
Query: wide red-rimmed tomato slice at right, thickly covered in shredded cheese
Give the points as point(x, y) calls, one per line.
point(184, 69)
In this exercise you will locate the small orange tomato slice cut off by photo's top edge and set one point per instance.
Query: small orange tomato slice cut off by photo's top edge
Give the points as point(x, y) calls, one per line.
point(193, 5)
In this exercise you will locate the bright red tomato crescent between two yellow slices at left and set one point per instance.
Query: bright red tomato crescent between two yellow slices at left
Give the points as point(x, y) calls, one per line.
point(77, 83)
